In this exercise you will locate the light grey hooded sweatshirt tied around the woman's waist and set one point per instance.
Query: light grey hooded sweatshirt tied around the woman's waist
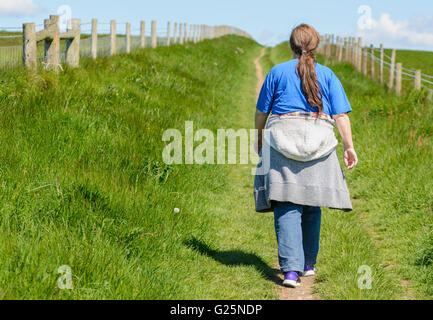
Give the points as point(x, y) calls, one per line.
point(303, 164)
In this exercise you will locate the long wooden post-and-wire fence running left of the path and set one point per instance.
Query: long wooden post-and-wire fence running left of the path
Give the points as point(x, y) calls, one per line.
point(50, 47)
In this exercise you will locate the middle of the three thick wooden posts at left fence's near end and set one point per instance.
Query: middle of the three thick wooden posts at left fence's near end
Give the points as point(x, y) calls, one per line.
point(52, 44)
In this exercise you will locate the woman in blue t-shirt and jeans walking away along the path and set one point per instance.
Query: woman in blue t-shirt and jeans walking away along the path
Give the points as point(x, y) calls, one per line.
point(301, 101)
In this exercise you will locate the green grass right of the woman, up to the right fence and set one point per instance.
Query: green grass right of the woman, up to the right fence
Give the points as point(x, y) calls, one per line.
point(391, 228)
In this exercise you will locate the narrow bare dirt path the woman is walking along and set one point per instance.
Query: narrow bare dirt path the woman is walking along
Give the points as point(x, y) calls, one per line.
point(305, 291)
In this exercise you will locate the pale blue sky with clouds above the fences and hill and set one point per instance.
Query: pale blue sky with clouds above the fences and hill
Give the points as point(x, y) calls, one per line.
point(399, 24)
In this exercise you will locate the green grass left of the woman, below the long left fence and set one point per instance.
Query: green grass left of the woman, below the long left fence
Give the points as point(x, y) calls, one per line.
point(83, 182)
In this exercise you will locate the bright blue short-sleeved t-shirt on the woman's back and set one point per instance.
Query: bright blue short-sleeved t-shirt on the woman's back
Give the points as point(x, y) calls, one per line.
point(282, 91)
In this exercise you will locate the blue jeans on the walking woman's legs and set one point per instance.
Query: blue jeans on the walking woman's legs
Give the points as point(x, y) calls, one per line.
point(298, 233)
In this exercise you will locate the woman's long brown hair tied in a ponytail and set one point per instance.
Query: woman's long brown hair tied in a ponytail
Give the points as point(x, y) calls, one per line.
point(303, 41)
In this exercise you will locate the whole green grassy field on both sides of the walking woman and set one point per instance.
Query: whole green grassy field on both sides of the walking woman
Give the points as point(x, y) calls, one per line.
point(83, 184)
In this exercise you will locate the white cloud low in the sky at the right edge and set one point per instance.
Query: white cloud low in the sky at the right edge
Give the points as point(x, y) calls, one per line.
point(411, 34)
